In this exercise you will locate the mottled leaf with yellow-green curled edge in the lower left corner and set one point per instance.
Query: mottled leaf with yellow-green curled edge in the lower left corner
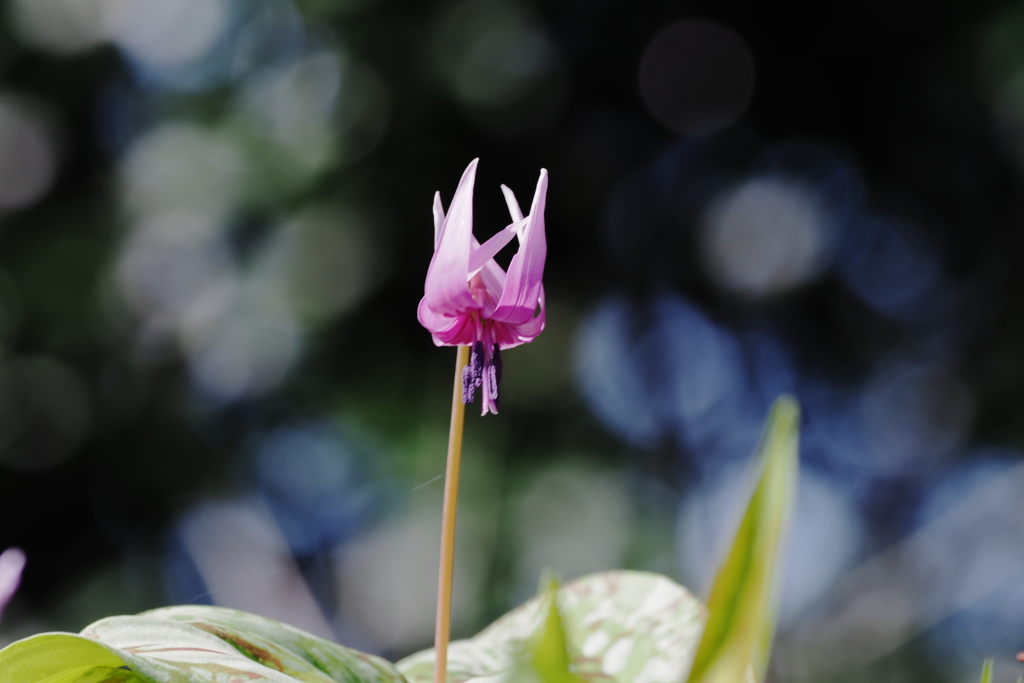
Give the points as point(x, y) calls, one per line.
point(187, 646)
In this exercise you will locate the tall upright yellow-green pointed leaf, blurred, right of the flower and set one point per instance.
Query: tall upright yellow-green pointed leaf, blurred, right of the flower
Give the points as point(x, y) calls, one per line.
point(738, 641)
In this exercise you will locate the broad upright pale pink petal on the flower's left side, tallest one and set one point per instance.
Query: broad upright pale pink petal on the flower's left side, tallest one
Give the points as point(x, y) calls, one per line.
point(446, 290)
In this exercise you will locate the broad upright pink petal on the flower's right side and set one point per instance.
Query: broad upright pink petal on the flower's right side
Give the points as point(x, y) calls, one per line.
point(523, 282)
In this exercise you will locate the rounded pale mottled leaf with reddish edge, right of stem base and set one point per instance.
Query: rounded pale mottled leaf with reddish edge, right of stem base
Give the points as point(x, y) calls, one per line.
point(629, 627)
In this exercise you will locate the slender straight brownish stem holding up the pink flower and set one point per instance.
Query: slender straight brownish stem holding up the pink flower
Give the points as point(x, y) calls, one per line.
point(444, 625)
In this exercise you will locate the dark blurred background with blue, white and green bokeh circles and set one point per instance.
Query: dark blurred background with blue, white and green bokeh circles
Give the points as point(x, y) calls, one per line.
point(215, 228)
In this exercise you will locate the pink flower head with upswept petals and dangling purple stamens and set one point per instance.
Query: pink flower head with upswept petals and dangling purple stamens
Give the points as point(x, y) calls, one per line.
point(470, 301)
